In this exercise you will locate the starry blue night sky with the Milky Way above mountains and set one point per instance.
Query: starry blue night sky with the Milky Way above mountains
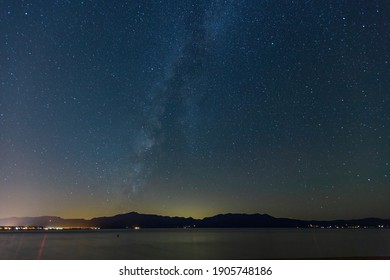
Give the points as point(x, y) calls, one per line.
point(194, 108)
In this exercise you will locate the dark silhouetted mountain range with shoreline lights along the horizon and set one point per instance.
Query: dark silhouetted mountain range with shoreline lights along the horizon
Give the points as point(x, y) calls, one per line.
point(134, 219)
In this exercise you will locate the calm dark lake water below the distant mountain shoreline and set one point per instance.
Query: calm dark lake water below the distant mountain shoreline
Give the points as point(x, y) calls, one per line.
point(197, 244)
